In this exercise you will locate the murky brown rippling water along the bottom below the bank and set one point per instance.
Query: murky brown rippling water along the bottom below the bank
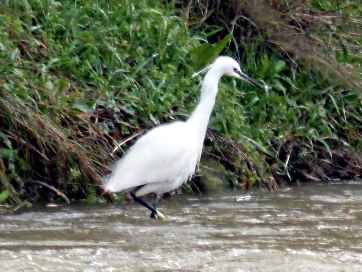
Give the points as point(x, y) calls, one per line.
point(310, 228)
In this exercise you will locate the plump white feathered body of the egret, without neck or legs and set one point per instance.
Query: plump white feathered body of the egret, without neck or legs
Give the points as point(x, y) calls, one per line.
point(160, 161)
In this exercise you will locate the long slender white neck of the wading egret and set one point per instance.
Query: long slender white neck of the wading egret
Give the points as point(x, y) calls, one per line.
point(199, 119)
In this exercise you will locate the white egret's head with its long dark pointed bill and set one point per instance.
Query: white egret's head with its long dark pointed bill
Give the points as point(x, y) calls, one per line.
point(230, 67)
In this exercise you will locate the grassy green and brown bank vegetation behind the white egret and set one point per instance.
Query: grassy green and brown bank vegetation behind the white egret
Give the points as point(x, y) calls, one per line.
point(80, 80)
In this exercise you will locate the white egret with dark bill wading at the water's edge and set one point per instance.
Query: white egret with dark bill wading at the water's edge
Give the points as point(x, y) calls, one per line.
point(165, 157)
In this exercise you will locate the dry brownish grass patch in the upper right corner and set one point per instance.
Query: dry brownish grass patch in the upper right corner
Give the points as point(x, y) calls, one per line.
point(324, 34)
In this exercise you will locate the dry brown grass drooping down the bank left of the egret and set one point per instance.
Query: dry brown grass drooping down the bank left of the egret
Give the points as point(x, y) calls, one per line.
point(49, 153)
